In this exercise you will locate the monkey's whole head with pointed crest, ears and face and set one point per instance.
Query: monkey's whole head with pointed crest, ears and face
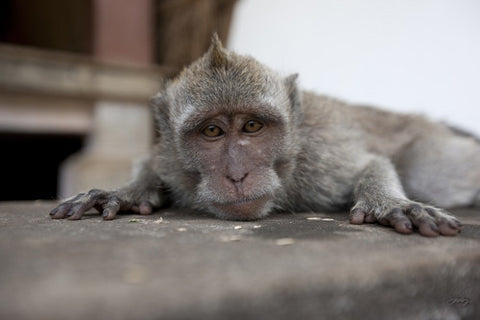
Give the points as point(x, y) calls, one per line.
point(231, 124)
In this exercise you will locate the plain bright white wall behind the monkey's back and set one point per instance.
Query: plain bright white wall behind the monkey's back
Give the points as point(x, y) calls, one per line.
point(406, 55)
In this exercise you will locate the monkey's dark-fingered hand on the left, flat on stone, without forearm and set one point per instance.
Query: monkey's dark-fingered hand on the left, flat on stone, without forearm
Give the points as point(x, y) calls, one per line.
point(109, 203)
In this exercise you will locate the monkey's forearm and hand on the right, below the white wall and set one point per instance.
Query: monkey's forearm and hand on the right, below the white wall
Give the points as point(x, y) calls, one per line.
point(379, 196)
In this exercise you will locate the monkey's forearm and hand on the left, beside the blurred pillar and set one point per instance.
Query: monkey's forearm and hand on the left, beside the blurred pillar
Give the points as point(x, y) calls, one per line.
point(141, 195)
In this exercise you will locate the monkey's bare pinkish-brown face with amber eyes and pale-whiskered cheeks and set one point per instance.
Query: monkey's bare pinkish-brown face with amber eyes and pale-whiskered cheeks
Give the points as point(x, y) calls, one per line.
point(236, 157)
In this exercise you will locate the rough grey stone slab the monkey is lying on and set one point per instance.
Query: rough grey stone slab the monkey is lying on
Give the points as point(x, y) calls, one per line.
point(186, 265)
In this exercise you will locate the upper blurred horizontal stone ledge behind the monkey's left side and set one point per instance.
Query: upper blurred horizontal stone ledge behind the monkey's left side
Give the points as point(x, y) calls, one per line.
point(61, 74)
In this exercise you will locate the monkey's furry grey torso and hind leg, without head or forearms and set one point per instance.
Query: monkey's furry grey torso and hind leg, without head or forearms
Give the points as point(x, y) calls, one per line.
point(435, 165)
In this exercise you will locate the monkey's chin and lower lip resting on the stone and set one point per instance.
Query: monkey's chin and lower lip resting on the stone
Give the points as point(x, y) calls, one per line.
point(243, 210)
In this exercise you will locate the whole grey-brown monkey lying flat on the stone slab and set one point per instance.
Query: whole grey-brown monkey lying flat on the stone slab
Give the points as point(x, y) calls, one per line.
point(237, 140)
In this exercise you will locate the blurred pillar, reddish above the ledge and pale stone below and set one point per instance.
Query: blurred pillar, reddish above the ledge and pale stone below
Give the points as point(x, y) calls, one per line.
point(122, 34)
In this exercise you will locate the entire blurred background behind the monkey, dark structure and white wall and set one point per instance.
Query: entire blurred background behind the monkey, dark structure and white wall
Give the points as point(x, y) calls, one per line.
point(75, 76)
